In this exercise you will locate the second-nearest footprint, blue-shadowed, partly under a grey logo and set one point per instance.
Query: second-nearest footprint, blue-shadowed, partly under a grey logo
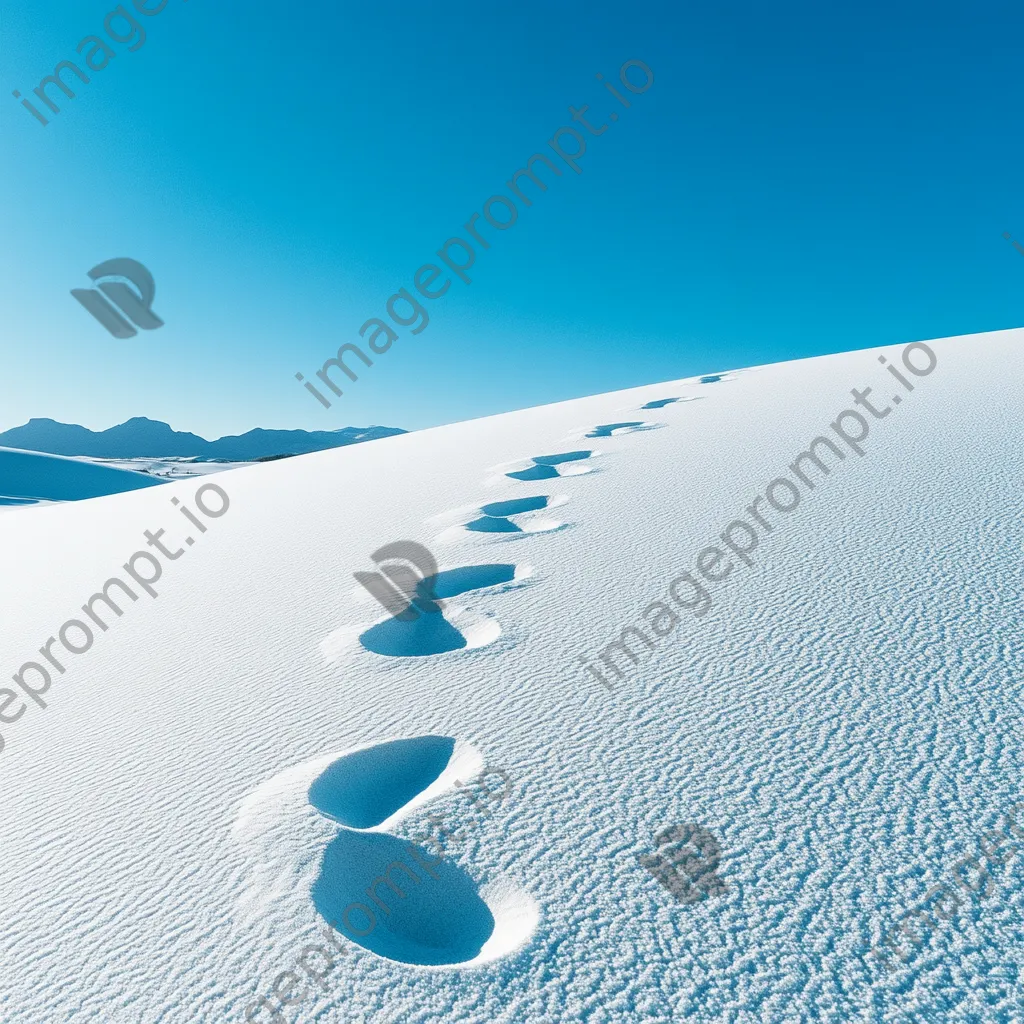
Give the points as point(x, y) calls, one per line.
point(453, 629)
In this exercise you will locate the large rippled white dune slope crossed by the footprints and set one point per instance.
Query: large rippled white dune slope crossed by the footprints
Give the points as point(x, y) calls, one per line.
point(218, 775)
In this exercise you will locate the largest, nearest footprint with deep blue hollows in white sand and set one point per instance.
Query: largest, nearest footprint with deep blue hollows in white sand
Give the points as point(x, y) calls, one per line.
point(397, 899)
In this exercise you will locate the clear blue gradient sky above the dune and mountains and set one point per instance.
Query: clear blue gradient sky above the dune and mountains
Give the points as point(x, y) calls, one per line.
point(798, 181)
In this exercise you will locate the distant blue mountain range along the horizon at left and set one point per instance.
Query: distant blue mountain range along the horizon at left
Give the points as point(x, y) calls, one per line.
point(142, 439)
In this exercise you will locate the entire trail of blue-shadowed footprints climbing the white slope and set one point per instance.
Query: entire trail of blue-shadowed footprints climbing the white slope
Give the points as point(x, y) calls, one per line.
point(449, 921)
